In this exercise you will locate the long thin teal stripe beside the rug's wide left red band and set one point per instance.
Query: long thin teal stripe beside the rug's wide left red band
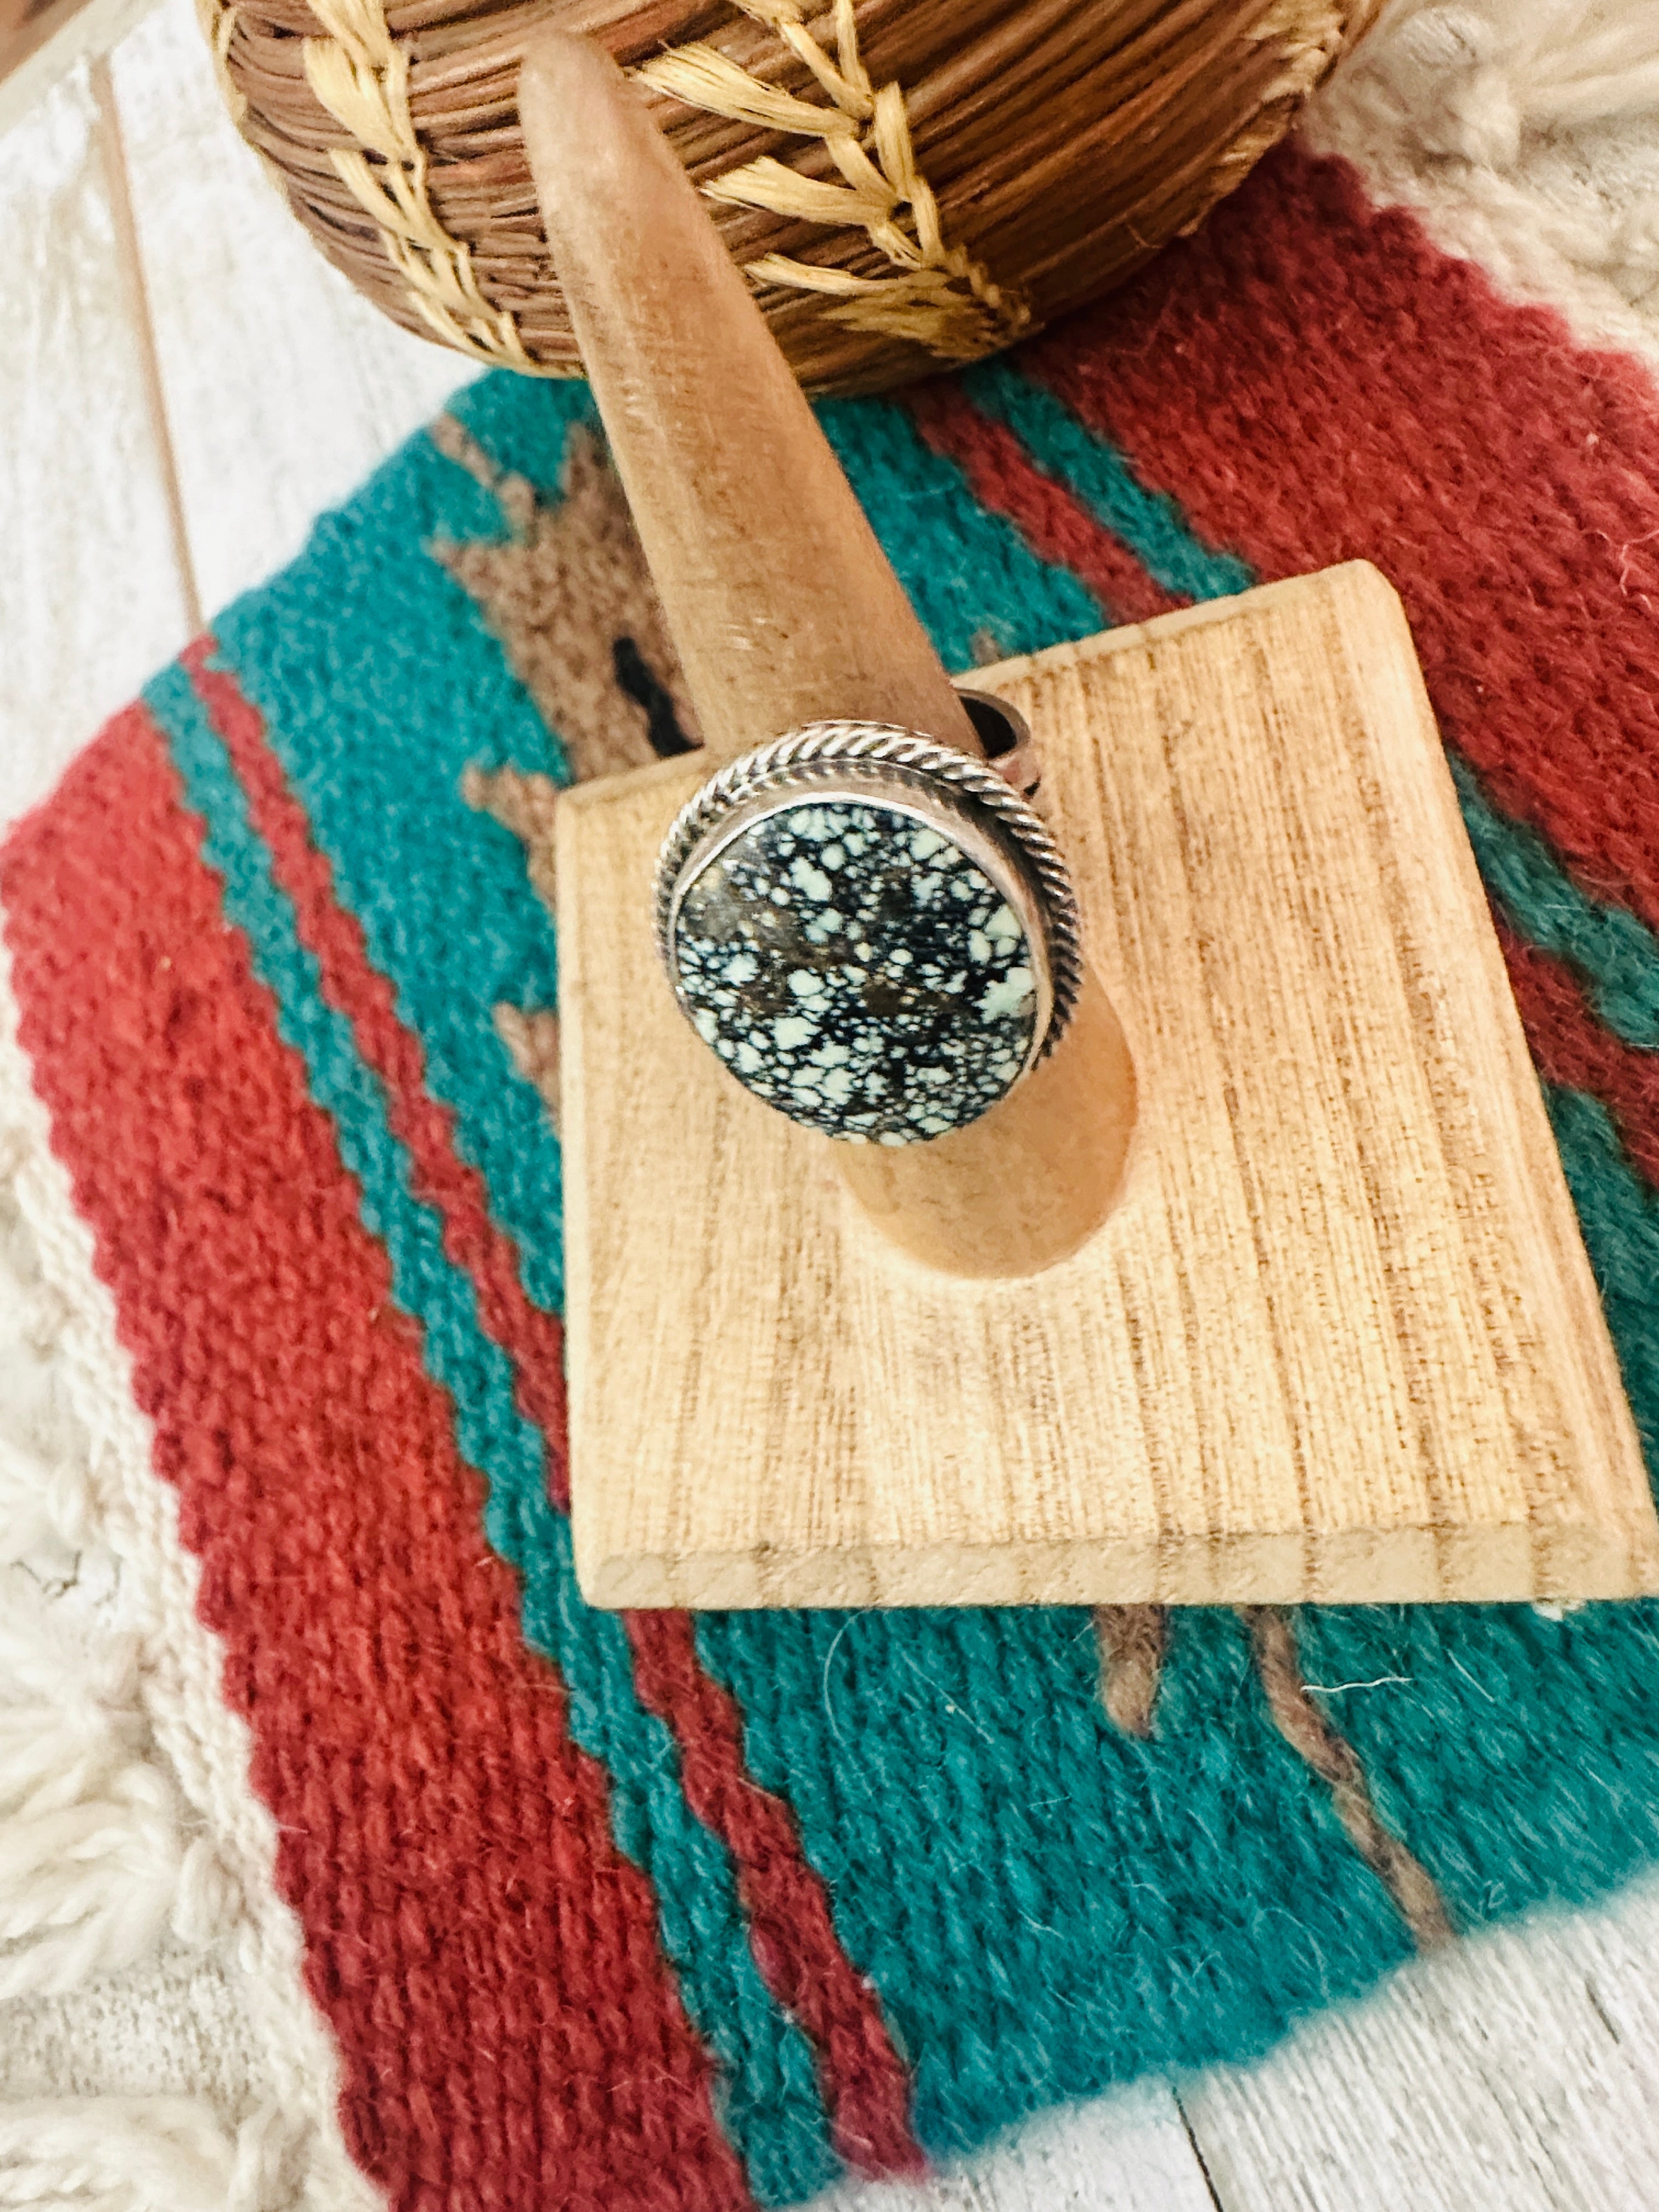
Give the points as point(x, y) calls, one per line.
point(773, 2111)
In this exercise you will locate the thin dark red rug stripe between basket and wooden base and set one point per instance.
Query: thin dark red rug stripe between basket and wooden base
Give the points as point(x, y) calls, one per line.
point(1054, 523)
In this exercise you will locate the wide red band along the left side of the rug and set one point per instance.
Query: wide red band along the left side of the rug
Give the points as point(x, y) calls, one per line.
point(508, 2030)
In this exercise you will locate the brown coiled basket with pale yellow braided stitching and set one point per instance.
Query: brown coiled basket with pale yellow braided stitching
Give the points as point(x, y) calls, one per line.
point(908, 182)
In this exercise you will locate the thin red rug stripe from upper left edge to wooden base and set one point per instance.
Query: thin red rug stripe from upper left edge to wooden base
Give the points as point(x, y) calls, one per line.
point(355, 988)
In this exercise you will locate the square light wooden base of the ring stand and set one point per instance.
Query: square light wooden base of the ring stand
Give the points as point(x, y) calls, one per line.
point(1337, 1337)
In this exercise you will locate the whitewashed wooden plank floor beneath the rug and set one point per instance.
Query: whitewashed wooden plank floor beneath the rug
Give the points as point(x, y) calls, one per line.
point(185, 388)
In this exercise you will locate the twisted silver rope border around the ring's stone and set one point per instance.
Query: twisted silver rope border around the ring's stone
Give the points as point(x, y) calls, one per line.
point(912, 762)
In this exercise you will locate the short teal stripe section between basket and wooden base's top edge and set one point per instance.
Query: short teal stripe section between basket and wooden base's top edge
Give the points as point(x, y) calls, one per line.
point(1149, 523)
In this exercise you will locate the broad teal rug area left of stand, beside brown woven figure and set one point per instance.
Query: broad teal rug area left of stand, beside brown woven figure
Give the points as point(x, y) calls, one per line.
point(364, 616)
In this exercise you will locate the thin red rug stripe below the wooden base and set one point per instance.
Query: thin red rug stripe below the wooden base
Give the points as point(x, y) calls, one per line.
point(791, 1923)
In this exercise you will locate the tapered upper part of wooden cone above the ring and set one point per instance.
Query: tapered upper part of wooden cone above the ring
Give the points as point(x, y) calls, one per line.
point(778, 592)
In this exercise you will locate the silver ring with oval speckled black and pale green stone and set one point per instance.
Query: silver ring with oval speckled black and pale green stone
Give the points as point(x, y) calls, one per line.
point(954, 968)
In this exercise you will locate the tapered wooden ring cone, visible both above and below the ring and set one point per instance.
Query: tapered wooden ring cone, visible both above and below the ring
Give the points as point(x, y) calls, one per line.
point(784, 609)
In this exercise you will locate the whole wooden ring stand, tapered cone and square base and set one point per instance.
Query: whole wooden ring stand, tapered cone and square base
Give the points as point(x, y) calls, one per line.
point(1266, 1288)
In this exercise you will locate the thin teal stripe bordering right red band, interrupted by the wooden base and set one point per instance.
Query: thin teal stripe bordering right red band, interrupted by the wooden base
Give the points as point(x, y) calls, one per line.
point(1614, 950)
